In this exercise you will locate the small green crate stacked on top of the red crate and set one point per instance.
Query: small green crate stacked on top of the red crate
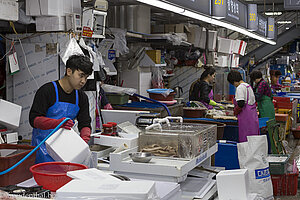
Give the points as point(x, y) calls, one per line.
point(280, 166)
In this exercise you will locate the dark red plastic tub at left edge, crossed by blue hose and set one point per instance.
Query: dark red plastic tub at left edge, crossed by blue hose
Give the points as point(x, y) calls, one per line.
point(21, 172)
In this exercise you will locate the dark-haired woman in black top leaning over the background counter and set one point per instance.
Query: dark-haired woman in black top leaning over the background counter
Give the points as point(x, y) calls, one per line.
point(201, 89)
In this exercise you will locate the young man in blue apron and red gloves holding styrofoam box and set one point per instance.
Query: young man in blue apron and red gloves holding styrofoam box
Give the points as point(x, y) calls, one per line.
point(57, 100)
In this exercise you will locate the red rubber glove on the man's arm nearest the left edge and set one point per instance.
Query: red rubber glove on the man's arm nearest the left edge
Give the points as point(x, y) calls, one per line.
point(46, 123)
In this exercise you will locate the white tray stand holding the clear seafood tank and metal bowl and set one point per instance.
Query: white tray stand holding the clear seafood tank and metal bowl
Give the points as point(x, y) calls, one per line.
point(170, 169)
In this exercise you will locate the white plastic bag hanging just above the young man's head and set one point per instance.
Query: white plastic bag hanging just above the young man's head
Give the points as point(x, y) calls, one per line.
point(72, 48)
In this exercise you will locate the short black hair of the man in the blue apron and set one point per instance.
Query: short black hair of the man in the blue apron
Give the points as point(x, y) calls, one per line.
point(80, 62)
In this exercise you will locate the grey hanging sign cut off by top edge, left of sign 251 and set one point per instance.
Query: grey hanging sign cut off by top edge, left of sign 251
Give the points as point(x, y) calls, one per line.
point(203, 6)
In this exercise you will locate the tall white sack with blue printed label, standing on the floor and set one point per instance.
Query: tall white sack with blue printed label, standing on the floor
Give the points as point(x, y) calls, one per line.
point(252, 156)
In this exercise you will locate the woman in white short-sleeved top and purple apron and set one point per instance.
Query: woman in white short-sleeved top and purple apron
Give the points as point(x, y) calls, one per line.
point(245, 108)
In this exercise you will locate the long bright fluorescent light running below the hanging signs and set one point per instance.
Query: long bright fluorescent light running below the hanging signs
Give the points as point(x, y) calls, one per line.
point(204, 18)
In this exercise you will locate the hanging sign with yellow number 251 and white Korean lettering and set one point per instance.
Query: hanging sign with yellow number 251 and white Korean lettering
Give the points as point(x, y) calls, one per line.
point(231, 11)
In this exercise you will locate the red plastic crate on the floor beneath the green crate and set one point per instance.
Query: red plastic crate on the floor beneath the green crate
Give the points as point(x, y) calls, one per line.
point(285, 184)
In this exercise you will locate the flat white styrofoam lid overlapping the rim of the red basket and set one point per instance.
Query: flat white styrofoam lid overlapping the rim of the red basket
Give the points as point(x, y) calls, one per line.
point(91, 174)
